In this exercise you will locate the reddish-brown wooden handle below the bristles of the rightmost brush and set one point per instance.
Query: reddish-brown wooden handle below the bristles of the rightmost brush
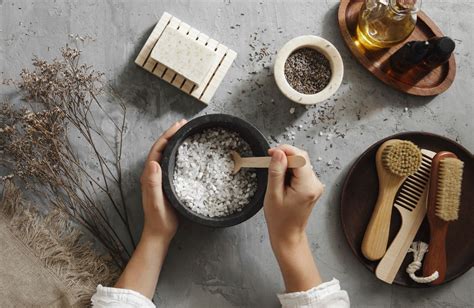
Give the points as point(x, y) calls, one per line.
point(435, 259)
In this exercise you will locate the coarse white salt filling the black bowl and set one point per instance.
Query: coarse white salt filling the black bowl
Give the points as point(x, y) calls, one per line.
point(203, 178)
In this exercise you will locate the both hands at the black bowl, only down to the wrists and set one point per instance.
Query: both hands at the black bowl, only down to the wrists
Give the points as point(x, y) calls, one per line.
point(288, 203)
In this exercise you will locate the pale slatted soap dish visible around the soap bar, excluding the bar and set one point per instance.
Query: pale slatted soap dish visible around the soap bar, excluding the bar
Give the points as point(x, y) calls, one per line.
point(222, 59)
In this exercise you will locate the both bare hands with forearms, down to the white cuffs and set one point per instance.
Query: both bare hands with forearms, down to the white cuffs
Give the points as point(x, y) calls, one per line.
point(287, 209)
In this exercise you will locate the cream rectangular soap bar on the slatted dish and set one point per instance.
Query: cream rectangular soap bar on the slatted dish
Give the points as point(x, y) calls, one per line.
point(185, 56)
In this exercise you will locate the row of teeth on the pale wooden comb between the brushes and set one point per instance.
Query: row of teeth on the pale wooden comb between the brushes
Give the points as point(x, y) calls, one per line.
point(413, 187)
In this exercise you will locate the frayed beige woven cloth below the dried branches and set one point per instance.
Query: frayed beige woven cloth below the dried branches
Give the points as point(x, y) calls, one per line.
point(44, 261)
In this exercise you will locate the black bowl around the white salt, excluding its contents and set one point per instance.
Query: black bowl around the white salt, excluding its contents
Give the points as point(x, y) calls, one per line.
point(249, 133)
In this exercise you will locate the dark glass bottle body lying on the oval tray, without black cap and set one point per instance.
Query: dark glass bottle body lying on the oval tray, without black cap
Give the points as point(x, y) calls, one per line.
point(409, 55)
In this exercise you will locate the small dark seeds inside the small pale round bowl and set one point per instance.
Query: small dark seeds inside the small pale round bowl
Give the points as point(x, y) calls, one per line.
point(307, 71)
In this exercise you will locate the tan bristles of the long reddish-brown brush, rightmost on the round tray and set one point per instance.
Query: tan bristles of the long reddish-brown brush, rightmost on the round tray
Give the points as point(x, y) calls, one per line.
point(448, 195)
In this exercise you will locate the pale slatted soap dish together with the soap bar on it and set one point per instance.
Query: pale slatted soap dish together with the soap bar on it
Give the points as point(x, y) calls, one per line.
point(186, 58)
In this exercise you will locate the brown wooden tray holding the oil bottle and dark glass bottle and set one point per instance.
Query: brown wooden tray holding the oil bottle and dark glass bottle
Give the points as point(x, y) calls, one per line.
point(417, 82)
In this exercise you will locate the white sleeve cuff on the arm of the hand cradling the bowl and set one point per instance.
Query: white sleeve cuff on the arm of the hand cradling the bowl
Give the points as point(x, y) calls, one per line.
point(106, 297)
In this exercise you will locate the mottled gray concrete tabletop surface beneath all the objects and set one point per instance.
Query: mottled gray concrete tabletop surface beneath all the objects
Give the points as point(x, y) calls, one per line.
point(235, 267)
